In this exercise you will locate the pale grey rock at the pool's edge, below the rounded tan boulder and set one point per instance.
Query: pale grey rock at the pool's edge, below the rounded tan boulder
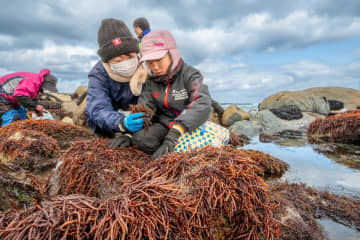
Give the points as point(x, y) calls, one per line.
point(273, 125)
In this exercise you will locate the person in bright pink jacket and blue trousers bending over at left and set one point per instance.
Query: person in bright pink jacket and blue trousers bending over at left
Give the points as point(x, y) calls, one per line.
point(20, 91)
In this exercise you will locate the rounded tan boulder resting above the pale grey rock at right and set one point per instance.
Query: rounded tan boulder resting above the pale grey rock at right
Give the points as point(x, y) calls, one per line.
point(305, 101)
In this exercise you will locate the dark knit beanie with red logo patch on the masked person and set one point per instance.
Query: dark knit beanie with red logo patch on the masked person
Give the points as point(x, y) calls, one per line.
point(114, 39)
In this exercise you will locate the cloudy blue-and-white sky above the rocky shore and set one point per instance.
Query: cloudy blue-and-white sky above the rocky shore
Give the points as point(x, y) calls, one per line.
point(246, 49)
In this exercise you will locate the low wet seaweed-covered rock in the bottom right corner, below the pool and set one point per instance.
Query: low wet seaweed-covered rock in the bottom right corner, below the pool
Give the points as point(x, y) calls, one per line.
point(300, 206)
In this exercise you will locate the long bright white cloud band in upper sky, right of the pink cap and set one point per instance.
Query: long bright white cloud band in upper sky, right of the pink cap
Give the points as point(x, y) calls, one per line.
point(265, 31)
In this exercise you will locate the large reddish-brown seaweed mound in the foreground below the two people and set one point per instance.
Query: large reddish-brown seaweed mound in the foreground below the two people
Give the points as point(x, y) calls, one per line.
point(212, 193)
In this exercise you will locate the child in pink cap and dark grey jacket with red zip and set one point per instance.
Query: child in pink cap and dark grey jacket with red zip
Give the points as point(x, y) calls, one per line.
point(174, 90)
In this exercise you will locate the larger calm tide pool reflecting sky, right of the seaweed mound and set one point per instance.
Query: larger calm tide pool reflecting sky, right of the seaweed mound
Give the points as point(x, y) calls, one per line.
point(312, 168)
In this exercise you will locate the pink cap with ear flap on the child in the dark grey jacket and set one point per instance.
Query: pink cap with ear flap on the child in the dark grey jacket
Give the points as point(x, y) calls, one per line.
point(156, 44)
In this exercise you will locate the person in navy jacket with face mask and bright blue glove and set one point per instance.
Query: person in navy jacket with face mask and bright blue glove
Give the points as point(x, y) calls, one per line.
point(115, 82)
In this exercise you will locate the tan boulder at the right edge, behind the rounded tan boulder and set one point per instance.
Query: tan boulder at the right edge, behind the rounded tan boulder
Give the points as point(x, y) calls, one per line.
point(349, 96)
